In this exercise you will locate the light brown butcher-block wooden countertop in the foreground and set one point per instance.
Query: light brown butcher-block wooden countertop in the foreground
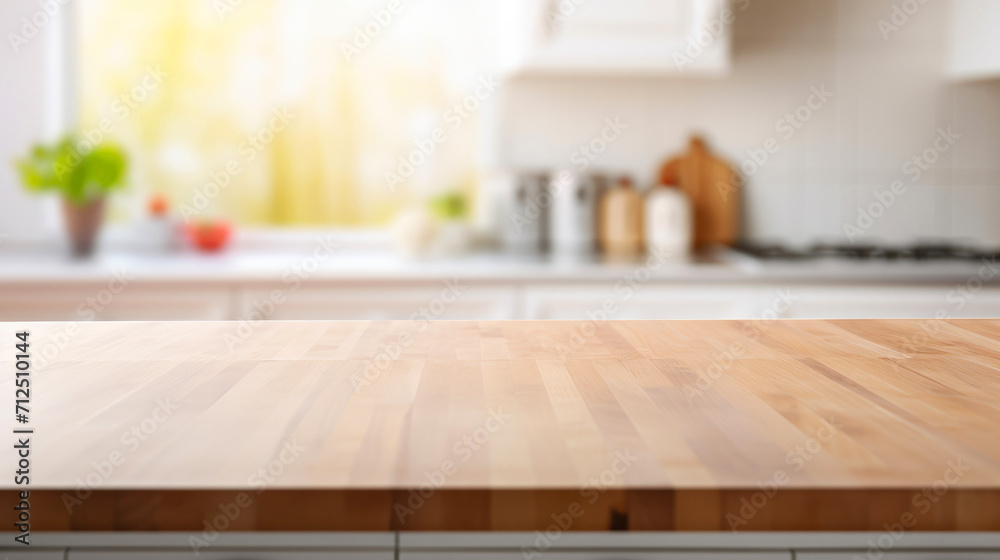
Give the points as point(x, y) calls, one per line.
point(683, 425)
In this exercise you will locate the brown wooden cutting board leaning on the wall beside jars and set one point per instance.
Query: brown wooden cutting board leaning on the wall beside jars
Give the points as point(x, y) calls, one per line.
point(713, 187)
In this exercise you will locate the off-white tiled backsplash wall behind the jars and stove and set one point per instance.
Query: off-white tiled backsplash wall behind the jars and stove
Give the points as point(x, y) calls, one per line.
point(890, 99)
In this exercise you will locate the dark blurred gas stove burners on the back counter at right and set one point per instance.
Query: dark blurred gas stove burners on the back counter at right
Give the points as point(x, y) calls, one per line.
point(918, 252)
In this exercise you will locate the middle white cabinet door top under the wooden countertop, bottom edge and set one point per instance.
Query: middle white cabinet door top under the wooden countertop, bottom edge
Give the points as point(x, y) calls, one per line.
point(611, 555)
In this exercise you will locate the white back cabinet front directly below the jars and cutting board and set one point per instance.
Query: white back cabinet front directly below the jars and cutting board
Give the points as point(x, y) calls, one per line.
point(648, 302)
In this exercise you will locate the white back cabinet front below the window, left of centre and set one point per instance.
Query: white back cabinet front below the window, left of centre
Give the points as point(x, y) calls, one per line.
point(438, 300)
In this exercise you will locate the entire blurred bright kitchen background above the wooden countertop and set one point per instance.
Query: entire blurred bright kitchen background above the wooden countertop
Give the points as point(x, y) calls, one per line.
point(499, 159)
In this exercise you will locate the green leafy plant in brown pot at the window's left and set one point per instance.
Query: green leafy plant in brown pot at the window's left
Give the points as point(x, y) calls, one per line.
point(82, 177)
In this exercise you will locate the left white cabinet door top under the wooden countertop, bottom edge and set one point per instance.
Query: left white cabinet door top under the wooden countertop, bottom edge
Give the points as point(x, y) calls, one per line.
point(224, 555)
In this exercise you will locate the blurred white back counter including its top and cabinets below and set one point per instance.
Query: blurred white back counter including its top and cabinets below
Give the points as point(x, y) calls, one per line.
point(235, 286)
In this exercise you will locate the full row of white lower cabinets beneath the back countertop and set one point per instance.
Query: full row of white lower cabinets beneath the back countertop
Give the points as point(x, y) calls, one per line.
point(495, 300)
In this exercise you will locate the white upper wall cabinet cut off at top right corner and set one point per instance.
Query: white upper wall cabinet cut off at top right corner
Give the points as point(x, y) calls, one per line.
point(975, 44)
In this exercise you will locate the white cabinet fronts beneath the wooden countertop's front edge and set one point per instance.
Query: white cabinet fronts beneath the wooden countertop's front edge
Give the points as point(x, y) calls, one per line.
point(511, 546)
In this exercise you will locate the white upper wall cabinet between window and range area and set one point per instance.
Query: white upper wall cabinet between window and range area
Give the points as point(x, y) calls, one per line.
point(628, 37)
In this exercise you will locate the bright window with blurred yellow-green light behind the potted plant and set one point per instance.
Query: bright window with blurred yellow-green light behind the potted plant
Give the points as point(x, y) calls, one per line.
point(287, 112)
